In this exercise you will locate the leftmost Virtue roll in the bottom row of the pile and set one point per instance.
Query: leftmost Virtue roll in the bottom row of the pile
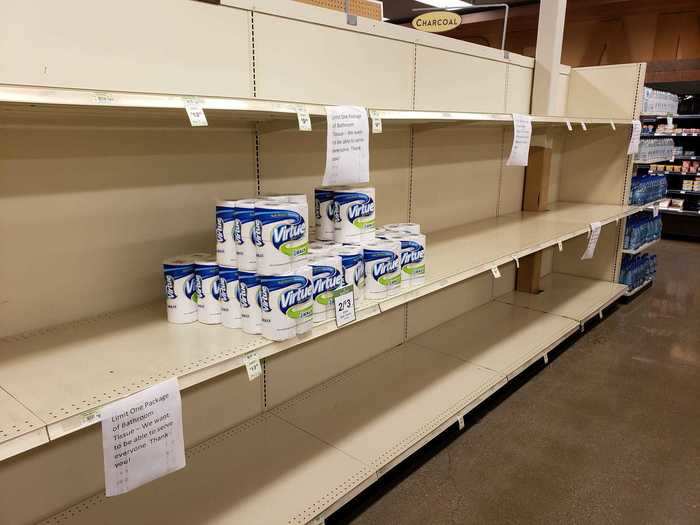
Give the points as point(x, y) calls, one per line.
point(180, 289)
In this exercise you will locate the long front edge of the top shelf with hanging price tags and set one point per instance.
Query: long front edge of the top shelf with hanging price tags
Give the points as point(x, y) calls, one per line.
point(29, 97)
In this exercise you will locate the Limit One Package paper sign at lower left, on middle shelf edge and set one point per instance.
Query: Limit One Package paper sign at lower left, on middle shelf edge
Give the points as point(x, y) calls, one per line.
point(142, 437)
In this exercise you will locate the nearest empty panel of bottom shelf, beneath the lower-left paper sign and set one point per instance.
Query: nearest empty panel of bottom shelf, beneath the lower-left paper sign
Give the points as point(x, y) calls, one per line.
point(261, 472)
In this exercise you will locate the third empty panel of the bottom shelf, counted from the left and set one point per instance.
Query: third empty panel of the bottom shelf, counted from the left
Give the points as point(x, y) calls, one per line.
point(499, 336)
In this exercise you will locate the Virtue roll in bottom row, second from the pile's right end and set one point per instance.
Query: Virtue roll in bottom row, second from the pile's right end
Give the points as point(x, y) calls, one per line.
point(382, 268)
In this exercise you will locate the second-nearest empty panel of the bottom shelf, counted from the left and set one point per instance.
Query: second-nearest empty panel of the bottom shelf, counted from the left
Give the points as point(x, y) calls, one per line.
point(381, 409)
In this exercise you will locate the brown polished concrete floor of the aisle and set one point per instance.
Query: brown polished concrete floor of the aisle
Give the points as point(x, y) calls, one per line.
point(608, 432)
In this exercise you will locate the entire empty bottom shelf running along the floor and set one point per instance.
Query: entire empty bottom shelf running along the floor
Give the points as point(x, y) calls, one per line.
point(302, 460)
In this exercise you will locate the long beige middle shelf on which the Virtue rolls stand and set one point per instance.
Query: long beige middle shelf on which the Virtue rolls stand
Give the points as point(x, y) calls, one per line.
point(116, 355)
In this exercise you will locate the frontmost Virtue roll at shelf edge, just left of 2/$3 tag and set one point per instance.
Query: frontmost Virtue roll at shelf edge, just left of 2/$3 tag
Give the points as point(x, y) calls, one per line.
point(286, 302)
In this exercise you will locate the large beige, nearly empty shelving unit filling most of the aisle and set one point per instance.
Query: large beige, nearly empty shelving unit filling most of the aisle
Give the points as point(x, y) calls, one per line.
point(103, 177)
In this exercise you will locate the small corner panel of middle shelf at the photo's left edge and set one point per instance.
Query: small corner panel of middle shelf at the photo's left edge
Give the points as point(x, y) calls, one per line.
point(19, 428)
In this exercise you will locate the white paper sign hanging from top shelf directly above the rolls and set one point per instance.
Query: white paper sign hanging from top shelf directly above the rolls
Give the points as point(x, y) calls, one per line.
point(347, 146)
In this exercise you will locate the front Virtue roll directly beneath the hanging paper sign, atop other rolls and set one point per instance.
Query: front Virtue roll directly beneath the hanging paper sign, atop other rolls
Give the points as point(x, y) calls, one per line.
point(353, 214)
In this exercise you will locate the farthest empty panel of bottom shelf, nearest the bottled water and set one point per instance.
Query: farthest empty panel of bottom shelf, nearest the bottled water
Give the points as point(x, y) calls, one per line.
point(574, 297)
